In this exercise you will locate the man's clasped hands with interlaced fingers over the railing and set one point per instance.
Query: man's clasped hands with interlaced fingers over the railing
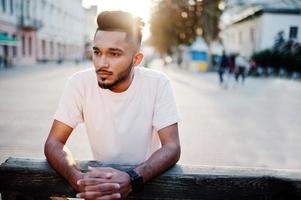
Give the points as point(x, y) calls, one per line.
point(104, 183)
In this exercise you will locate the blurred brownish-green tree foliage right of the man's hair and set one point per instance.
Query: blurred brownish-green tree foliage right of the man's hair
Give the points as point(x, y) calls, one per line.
point(176, 22)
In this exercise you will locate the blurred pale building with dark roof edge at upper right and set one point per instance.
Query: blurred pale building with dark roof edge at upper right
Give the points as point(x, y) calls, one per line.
point(255, 28)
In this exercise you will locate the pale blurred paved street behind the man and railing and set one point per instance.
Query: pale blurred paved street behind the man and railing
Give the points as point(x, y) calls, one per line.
point(256, 124)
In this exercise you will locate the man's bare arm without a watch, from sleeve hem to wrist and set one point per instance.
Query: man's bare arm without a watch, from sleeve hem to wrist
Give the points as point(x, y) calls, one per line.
point(59, 156)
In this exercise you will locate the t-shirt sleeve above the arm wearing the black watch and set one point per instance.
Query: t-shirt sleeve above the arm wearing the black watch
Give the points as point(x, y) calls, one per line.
point(165, 111)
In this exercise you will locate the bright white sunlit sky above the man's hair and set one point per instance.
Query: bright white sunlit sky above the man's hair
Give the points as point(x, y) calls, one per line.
point(141, 8)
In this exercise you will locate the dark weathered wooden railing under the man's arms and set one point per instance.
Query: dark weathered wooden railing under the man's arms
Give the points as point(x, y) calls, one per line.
point(31, 179)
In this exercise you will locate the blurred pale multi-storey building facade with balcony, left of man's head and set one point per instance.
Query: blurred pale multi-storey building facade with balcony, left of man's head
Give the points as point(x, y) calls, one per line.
point(45, 30)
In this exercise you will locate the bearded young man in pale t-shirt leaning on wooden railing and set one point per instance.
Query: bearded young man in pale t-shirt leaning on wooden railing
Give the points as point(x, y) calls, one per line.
point(129, 113)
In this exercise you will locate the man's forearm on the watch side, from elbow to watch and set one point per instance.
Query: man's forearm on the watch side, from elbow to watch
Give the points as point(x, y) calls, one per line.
point(159, 161)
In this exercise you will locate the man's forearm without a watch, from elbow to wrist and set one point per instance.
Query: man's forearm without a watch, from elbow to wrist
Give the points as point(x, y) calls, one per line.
point(60, 158)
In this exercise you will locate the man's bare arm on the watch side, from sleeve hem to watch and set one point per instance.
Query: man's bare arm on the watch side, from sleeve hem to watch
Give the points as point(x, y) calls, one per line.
point(163, 158)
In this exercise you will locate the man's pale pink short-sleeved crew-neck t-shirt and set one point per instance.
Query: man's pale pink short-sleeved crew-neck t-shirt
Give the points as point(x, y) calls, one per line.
point(121, 127)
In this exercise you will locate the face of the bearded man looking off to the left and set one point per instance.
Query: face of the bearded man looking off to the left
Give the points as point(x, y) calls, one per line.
point(113, 59)
